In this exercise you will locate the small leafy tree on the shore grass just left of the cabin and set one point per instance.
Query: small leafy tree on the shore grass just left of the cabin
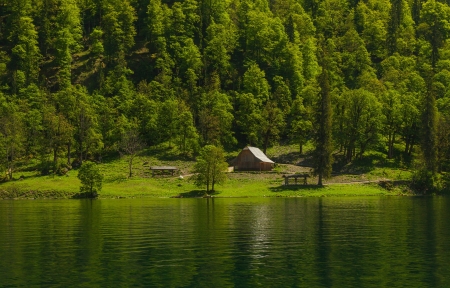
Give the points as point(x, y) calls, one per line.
point(210, 167)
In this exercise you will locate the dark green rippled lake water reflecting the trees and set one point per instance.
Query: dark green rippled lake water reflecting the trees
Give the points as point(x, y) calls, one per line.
point(278, 242)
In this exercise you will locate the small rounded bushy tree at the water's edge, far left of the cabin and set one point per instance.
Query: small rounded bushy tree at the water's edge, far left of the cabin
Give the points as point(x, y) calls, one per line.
point(91, 179)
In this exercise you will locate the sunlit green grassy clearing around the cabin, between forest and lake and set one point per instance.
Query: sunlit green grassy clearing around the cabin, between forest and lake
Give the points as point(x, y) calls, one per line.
point(360, 179)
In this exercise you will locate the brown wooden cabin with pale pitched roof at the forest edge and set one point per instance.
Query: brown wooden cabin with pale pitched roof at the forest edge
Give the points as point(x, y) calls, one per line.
point(252, 159)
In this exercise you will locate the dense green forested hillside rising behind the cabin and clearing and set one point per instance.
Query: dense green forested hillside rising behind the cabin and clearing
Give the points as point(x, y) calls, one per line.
point(82, 78)
